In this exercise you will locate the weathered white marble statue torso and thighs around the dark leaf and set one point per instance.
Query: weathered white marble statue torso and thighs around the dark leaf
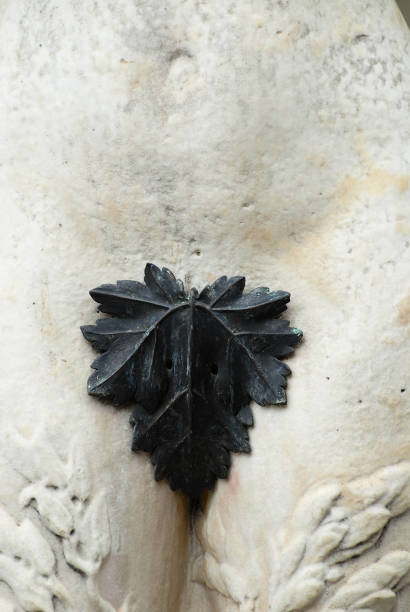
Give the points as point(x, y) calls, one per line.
point(263, 138)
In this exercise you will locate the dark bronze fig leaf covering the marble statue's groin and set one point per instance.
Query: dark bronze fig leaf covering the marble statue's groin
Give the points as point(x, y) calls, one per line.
point(191, 363)
